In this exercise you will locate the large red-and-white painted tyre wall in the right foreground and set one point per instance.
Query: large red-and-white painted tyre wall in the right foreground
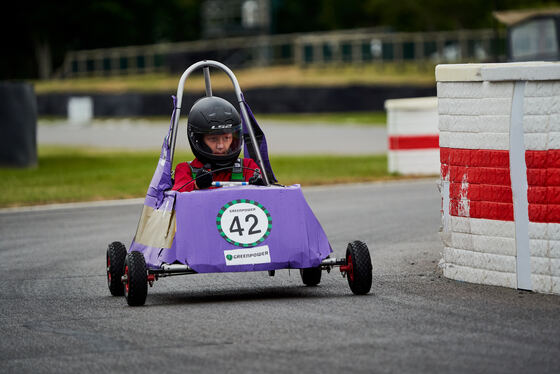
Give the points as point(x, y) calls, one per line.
point(500, 170)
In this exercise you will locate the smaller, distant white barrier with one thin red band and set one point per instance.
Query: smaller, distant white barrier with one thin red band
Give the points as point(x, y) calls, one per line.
point(412, 129)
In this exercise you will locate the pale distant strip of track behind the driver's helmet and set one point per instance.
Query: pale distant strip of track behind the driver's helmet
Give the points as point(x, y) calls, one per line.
point(282, 138)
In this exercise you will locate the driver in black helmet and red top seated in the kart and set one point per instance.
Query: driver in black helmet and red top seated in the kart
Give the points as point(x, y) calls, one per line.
point(215, 135)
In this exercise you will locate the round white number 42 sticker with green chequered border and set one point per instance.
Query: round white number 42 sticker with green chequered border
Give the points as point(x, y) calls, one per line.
point(244, 223)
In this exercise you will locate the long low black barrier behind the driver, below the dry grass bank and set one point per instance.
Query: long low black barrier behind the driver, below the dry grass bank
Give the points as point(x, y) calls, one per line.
point(262, 100)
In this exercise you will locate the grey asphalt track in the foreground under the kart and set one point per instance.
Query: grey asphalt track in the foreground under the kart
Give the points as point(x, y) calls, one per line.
point(57, 315)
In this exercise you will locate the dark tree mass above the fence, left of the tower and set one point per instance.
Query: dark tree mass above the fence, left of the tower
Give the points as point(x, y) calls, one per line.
point(46, 31)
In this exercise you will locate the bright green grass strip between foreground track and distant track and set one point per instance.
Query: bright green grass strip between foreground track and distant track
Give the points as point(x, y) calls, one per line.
point(72, 174)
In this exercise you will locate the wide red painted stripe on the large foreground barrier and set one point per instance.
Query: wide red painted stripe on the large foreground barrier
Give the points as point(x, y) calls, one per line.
point(480, 184)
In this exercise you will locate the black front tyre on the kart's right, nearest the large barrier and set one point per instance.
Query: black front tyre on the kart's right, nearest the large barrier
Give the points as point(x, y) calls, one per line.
point(359, 273)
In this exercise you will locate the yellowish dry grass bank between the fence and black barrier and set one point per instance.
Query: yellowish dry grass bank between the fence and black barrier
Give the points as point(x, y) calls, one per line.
point(290, 75)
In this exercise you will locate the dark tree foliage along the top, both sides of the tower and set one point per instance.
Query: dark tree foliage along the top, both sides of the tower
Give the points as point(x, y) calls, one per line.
point(46, 30)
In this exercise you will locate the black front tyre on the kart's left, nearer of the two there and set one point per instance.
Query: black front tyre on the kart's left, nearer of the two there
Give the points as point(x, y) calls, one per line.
point(136, 285)
